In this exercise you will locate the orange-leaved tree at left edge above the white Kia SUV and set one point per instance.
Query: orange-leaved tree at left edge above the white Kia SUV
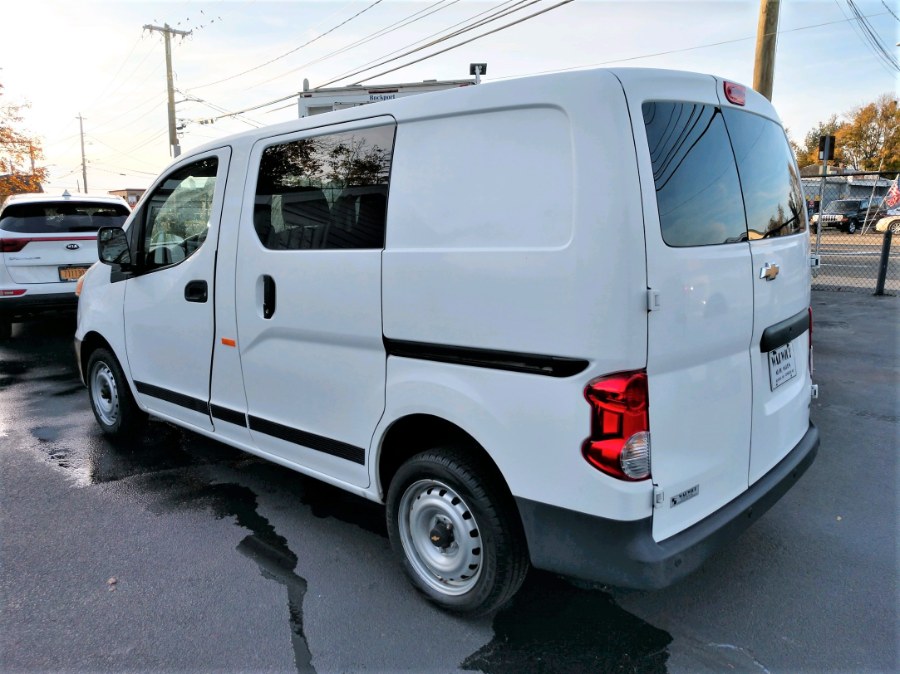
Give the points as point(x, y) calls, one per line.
point(18, 153)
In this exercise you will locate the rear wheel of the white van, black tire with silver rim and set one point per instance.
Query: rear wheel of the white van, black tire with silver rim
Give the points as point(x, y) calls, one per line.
point(453, 524)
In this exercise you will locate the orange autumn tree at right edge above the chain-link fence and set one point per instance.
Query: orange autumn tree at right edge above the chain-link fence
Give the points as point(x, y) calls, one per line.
point(870, 140)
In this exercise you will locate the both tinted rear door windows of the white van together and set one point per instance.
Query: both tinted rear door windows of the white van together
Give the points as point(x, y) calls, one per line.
point(721, 176)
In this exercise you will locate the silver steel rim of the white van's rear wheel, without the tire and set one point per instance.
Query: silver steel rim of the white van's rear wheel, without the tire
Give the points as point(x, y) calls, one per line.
point(452, 570)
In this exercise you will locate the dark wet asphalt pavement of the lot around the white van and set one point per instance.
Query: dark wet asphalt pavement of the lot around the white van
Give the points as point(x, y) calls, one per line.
point(175, 552)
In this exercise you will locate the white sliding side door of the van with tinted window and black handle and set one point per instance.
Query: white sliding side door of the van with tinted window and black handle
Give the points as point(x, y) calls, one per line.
point(308, 295)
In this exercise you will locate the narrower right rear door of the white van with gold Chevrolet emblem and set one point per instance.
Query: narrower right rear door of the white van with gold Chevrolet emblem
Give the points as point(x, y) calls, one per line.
point(779, 246)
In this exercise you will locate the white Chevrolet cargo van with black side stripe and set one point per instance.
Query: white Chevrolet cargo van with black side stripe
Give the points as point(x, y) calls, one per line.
point(562, 320)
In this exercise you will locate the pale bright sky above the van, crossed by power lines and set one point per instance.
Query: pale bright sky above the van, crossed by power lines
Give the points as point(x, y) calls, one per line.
point(95, 59)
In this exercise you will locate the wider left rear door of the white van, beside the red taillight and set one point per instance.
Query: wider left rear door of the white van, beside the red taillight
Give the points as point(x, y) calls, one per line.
point(700, 268)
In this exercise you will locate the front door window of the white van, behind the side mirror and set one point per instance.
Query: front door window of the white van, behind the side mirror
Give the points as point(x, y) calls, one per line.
point(177, 214)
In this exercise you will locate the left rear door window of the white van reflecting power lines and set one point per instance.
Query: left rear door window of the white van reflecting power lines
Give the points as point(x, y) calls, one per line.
point(697, 187)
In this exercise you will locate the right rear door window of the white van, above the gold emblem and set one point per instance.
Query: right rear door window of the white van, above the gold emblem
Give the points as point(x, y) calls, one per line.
point(769, 177)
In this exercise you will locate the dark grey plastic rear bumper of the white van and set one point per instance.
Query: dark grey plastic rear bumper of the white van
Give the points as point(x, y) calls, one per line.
point(624, 553)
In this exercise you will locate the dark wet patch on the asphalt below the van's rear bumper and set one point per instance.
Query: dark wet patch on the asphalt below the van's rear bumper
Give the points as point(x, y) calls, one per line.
point(552, 626)
